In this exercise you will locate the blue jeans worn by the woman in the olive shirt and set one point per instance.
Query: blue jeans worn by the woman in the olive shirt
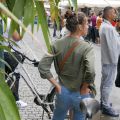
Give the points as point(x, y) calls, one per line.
point(68, 100)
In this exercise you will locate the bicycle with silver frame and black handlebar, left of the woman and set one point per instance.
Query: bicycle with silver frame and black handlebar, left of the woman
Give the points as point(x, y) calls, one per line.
point(44, 101)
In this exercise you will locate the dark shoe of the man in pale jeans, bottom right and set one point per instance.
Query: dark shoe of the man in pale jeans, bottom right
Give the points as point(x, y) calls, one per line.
point(109, 111)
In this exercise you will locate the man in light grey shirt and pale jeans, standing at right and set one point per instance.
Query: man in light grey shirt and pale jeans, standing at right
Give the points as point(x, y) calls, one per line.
point(110, 50)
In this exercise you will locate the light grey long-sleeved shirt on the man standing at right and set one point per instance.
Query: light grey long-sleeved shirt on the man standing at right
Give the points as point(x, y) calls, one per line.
point(110, 43)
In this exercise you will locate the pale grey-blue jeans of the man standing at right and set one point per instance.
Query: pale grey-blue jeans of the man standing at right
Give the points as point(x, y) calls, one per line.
point(108, 78)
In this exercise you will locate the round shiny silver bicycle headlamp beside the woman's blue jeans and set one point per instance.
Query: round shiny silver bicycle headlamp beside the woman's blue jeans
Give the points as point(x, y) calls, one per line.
point(89, 106)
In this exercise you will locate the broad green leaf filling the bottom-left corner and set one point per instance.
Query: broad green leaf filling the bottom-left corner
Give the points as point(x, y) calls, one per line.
point(7, 102)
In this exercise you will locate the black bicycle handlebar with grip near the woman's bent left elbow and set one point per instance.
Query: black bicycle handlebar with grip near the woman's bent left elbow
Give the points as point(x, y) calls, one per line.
point(35, 62)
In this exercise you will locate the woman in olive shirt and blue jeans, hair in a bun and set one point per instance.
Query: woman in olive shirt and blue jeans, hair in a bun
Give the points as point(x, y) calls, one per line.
point(78, 71)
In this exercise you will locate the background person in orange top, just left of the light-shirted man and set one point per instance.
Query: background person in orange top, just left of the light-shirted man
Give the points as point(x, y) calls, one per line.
point(98, 24)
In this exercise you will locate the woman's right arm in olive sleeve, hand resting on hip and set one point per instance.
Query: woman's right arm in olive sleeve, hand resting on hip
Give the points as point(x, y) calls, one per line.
point(89, 73)
